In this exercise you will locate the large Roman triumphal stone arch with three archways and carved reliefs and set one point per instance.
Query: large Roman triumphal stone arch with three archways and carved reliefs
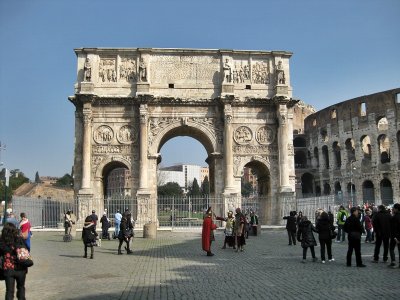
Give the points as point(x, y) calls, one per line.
point(237, 104)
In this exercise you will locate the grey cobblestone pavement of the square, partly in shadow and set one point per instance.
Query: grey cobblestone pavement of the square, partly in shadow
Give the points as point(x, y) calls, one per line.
point(174, 267)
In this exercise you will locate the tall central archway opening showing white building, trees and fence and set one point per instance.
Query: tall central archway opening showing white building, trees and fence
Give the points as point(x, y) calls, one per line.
point(185, 178)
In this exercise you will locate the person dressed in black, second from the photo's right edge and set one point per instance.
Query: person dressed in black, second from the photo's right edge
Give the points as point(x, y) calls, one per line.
point(381, 224)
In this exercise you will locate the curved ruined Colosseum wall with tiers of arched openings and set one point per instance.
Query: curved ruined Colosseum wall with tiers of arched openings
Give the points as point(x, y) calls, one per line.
point(351, 150)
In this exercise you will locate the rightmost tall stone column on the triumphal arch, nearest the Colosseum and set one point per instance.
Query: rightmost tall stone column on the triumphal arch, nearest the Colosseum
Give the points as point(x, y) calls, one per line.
point(283, 138)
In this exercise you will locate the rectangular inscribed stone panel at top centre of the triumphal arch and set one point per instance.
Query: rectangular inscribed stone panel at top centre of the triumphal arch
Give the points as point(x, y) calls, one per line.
point(172, 68)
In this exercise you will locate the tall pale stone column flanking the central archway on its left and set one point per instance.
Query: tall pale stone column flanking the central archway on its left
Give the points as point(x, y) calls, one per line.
point(143, 162)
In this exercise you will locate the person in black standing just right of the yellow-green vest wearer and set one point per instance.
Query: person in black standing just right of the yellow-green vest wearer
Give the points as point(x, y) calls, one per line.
point(354, 229)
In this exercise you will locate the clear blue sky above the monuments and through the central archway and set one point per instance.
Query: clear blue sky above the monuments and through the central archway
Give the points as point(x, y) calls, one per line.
point(342, 49)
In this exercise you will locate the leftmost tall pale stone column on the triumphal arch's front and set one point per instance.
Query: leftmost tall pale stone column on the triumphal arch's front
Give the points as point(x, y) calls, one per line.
point(86, 146)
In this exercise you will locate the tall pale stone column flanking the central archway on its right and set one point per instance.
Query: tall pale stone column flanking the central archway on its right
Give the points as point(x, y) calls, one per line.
point(228, 147)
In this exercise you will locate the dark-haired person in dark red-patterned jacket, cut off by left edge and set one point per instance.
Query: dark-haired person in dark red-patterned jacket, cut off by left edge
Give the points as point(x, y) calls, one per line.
point(13, 272)
